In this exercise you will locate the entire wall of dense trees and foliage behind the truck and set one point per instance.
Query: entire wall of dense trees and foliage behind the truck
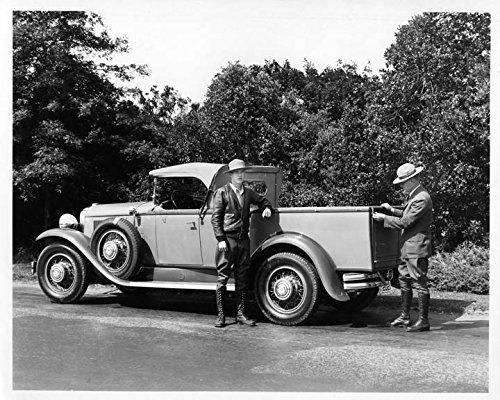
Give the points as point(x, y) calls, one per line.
point(338, 134)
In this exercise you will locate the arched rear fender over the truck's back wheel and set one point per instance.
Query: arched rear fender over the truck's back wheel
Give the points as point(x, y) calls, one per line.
point(319, 257)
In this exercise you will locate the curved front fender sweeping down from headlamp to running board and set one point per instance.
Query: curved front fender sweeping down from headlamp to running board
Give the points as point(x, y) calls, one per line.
point(82, 243)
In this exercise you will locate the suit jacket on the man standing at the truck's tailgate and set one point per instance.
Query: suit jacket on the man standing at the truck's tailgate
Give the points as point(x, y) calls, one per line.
point(415, 221)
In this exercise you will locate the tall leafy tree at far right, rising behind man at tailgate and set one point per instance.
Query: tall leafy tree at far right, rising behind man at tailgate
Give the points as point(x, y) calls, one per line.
point(433, 109)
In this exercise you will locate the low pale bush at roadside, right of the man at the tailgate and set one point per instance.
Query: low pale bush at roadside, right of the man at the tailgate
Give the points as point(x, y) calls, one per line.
point(466, 269)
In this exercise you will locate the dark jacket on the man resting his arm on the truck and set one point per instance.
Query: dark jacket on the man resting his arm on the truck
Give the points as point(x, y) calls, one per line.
point(229, 216)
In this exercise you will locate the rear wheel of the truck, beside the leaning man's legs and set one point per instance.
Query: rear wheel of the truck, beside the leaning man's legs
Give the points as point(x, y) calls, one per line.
point(287, 288)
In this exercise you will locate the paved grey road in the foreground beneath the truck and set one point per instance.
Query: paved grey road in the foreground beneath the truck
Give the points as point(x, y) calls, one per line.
point(166, 342)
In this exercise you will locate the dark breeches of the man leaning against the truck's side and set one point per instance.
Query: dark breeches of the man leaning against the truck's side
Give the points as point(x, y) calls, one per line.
point(236, 258)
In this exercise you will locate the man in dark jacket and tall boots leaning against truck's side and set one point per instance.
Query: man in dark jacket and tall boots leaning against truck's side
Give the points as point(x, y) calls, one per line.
point(231, 221)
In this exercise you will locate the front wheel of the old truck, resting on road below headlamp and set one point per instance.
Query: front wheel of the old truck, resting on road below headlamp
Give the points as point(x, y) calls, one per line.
point(62, 273)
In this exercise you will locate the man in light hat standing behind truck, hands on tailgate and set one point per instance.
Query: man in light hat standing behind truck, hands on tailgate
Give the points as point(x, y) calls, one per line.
point(415, 222)
